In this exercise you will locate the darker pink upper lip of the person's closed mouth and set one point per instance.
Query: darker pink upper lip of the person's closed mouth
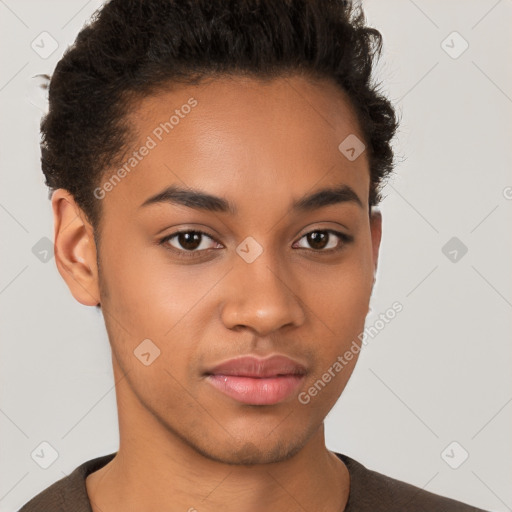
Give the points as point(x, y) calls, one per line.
point(252, 366)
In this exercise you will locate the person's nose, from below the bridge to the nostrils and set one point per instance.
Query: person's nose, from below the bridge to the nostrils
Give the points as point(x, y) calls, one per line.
point(261, 296)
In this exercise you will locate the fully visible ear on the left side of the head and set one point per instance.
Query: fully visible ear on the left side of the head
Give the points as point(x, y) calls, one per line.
point(75, 249)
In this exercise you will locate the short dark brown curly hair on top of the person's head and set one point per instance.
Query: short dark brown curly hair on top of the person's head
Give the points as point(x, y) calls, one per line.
point(132, 48)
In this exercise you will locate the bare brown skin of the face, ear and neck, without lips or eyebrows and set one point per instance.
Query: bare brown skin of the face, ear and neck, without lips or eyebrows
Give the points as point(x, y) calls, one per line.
point(183, 444)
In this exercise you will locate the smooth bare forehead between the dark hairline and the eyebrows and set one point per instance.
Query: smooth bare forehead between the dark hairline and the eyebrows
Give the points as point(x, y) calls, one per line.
point(260, 141)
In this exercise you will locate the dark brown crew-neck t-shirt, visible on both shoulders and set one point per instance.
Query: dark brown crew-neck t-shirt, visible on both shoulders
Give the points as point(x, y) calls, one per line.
point(369, 492)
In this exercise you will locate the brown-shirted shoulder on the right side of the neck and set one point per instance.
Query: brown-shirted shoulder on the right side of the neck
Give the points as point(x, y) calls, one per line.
point(370, 491)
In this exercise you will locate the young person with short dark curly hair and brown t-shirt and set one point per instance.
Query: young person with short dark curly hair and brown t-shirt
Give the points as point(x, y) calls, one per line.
point(216, 168)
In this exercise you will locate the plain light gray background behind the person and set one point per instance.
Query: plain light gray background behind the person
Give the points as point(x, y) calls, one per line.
point(439, 372)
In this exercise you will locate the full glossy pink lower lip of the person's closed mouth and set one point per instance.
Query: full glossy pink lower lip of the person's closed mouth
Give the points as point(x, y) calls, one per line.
point(257, 391)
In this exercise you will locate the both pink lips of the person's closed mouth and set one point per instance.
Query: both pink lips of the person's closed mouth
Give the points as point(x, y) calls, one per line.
point(256, 381)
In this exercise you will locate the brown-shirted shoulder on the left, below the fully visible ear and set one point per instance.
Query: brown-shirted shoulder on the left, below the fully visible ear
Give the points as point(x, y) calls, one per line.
point(69, 494)
